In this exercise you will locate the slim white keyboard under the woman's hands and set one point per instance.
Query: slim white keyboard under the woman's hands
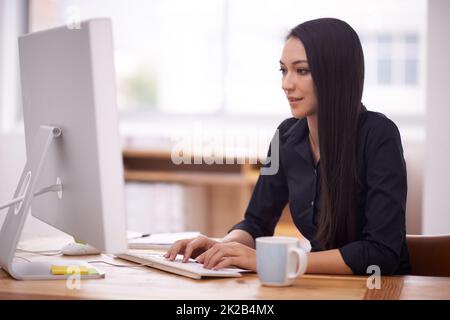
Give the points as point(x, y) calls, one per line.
point(191, 269)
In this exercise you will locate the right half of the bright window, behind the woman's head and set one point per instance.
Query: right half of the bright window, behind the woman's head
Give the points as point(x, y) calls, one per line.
point(393, 41)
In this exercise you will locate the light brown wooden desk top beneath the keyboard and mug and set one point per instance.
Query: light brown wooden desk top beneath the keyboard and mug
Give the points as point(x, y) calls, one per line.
point(148, 283)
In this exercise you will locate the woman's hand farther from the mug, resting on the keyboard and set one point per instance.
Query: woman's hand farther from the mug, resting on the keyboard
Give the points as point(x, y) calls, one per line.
point(188, 247)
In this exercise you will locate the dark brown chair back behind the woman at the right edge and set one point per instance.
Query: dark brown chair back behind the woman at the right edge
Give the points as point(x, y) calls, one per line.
point(429, 255)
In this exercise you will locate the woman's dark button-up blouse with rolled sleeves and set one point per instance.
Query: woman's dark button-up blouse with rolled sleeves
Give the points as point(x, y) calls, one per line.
point(381, 196)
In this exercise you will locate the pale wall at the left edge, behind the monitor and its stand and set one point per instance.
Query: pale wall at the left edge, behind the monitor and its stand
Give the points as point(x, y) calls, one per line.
point(13, 16)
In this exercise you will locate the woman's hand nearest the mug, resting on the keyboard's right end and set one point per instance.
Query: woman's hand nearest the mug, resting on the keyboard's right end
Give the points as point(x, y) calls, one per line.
point(225, 254)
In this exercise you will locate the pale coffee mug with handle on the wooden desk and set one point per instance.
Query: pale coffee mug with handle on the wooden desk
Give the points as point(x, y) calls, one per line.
point(279, 260)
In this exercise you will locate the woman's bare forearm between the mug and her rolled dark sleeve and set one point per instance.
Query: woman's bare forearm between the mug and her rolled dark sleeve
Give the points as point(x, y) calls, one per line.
point(328, 262)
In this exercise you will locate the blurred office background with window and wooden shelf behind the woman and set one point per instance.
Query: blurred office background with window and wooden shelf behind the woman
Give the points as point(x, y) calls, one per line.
point(213, 64)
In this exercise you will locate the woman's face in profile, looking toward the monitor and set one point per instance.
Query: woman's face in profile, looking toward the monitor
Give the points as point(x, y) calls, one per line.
point(297, 82)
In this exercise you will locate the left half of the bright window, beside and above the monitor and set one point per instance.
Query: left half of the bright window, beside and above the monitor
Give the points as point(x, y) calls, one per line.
point(168, 53)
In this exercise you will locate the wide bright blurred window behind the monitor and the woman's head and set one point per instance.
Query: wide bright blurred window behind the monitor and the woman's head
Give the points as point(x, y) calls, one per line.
point(219, 57)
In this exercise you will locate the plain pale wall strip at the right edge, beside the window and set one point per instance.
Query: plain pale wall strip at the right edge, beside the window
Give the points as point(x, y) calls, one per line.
point(436, 213)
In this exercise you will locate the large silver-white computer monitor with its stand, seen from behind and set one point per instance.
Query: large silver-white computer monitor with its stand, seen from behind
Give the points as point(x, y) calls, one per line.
point(72, 142)
